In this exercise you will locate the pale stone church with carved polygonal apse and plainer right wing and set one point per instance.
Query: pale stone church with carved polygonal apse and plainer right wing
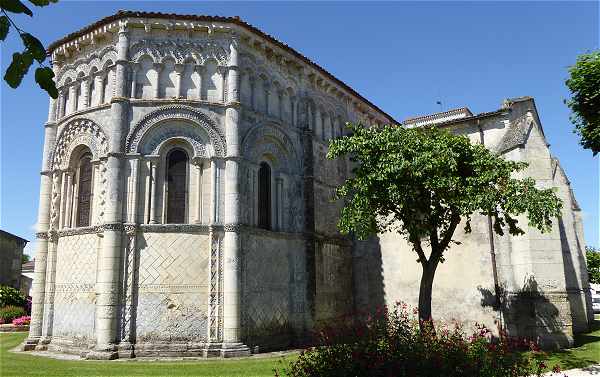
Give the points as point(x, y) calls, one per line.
point(185, 203)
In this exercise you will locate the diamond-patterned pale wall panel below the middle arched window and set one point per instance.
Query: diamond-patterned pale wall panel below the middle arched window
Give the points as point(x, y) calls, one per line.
point(173, 287)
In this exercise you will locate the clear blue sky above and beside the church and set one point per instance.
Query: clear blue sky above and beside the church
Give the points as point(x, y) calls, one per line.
point(403, 56)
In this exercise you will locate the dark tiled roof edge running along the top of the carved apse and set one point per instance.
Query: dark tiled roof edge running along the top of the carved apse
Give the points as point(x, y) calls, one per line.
point(204, 18)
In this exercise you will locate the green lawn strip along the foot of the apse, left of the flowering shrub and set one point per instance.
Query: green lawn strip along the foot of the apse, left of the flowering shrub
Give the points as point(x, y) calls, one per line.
point(24, 365)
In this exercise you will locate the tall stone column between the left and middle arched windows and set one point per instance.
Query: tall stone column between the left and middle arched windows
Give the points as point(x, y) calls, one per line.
point(109, 260)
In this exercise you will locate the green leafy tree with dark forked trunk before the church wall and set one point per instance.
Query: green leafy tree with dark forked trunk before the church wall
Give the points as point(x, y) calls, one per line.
point(422, 182)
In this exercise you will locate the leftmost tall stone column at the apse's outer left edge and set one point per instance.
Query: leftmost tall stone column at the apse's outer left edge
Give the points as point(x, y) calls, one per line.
point(48, 181)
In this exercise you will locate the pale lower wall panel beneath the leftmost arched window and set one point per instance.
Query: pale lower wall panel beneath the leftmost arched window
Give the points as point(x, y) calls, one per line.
point(75, 296)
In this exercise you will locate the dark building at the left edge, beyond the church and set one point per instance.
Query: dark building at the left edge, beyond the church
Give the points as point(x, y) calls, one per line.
point(11, 255)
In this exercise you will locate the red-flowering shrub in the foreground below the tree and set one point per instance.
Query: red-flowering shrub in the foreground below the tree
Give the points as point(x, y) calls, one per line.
point(391, 344)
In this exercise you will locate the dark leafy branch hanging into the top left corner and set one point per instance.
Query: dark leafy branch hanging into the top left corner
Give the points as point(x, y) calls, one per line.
point(33, 49)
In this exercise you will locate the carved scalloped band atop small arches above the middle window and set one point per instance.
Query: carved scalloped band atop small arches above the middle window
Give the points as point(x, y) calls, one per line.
point(197, 51)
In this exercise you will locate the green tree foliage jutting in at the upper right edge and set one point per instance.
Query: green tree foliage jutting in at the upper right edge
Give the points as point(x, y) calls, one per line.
point(584, 84)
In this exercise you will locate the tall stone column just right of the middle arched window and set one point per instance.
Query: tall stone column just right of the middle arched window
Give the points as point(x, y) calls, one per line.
point(231, 253)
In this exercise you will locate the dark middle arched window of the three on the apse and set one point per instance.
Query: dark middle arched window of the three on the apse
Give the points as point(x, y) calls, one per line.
point(176, 175)
